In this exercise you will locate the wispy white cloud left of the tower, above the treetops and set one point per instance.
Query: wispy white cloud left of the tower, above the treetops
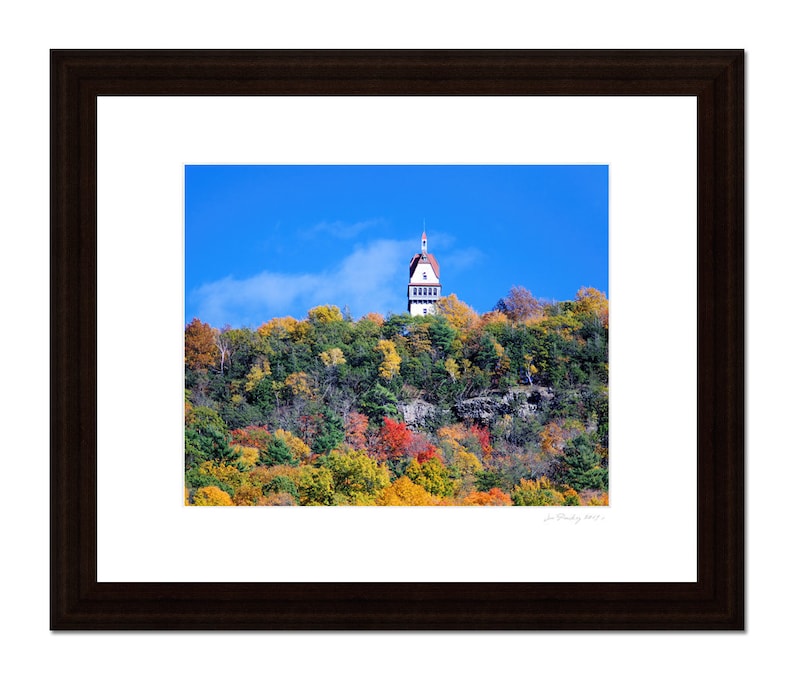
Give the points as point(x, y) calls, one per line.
point(371, 278)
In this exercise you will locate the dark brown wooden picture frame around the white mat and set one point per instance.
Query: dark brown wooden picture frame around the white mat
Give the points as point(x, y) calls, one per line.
point(715, 601)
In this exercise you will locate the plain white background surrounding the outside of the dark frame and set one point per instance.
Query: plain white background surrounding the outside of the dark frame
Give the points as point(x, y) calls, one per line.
point(33, 654)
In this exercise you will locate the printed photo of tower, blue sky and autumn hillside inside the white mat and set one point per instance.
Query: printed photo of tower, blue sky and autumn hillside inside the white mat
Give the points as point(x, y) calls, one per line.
point(396, 335)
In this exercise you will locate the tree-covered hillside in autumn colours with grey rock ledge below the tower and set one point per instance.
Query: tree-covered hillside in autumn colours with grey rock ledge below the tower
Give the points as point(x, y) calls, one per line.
point(505, 408)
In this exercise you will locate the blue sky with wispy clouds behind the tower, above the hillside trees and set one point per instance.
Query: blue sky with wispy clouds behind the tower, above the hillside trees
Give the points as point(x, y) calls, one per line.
point(265, 241)
